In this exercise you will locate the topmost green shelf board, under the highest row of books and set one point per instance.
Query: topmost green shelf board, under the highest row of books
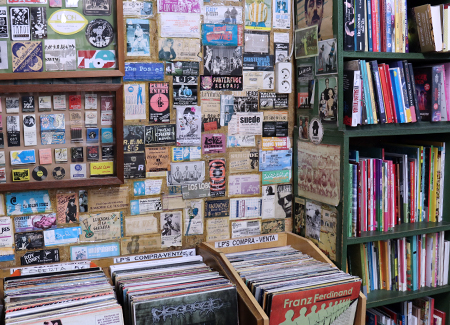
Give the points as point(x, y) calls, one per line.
point(395, 56)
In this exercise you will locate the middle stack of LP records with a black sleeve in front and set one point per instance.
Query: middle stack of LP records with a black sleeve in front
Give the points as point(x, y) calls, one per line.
point(174, 291)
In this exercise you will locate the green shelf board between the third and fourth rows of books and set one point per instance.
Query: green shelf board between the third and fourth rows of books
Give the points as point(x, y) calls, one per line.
point(403, 230)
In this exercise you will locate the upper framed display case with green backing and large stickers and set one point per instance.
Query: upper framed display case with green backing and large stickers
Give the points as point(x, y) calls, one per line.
point(42, 39)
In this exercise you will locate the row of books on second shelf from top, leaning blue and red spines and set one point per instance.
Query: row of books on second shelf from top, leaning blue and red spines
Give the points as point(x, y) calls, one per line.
point(379, 93)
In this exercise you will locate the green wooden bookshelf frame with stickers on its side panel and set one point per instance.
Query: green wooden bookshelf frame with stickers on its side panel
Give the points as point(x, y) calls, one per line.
point(345, 137)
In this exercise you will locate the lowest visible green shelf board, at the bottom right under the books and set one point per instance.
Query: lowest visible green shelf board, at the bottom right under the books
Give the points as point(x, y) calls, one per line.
point(378, 298)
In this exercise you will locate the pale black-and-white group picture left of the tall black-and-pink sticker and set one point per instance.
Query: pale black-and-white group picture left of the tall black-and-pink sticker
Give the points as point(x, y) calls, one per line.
point(191, 172)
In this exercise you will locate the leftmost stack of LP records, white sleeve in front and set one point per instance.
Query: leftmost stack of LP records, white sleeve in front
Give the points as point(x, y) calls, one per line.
point(70, 297)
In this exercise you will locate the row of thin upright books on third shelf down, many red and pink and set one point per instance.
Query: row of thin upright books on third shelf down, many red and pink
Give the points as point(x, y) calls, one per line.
point(395, 184)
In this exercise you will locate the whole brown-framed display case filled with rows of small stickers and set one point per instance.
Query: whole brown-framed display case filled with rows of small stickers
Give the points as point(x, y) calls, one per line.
point(57, 136)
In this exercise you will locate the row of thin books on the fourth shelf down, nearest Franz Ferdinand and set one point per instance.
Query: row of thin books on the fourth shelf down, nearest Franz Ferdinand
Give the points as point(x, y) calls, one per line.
point(404, 264)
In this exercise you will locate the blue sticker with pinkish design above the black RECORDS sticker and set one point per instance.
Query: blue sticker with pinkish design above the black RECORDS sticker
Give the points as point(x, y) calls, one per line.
point(221, 34)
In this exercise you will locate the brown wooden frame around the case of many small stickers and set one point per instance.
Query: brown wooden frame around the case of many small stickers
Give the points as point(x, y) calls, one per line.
point(50, 182)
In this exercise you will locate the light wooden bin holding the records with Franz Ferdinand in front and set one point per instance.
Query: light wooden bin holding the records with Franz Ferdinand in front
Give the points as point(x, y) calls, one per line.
point(250, 312)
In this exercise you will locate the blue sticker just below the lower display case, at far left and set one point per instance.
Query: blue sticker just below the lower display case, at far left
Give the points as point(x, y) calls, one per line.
point(32, 202)
